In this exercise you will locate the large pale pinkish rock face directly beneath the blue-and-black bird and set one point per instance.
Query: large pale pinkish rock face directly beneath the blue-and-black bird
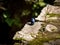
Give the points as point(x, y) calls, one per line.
point(28, 32)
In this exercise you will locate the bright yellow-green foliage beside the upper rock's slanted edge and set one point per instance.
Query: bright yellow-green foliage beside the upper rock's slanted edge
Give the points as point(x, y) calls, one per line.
point(37, 6)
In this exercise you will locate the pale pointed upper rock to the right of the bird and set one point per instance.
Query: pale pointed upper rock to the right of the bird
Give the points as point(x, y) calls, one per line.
point(50, 9)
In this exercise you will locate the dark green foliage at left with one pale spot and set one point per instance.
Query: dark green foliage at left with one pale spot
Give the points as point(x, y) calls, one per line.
point(11, 21)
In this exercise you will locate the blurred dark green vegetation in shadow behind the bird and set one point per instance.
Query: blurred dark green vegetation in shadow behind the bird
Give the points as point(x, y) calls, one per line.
point(22, 12)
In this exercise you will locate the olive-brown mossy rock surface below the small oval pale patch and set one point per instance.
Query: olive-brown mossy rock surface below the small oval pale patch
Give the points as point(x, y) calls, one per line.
point(45, 37)
